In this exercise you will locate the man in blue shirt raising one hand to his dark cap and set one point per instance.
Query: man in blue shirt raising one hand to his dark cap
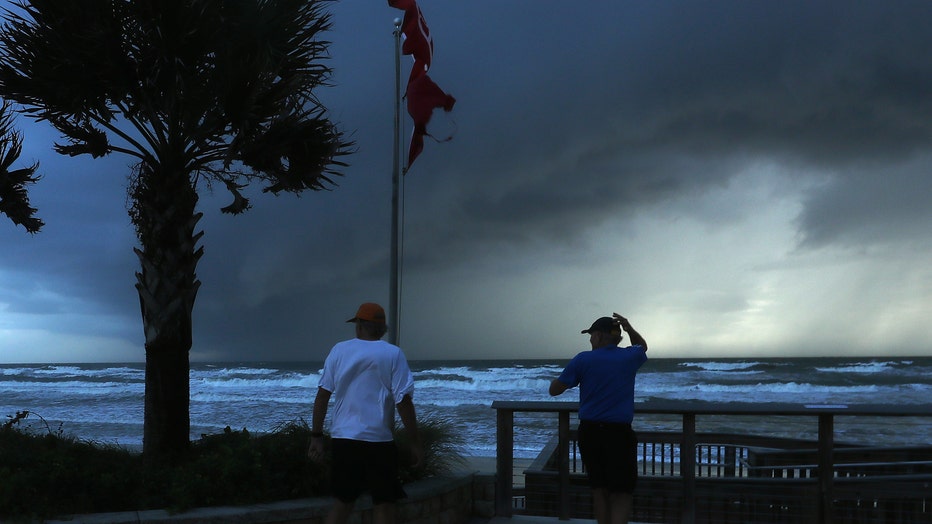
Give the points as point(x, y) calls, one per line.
point(608, 445)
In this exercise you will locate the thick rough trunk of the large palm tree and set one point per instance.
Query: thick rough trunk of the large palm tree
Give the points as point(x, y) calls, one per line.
point(163, 213)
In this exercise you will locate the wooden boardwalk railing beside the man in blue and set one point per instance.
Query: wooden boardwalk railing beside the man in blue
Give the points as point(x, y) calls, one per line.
point(690, 477)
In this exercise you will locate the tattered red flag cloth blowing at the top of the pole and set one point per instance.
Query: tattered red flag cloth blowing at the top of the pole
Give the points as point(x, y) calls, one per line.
point(422, 93)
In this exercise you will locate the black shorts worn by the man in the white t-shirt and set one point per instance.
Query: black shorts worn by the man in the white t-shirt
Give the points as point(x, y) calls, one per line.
point(360, 466)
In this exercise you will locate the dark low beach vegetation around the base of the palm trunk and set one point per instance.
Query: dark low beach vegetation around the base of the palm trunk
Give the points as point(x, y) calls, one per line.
point(46, 473)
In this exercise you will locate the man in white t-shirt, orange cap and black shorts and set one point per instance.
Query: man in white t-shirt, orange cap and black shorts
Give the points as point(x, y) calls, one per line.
point(368, 379)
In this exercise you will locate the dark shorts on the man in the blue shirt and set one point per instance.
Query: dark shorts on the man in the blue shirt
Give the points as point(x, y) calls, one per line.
point(610, 455)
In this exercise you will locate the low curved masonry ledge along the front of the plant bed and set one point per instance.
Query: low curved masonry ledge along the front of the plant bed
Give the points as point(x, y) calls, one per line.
point(449, 499)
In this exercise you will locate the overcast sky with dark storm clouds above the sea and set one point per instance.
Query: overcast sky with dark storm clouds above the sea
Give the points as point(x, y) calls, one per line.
point(739, 179)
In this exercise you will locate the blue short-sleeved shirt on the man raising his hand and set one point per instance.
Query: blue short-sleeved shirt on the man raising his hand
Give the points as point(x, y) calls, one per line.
point(605, 377)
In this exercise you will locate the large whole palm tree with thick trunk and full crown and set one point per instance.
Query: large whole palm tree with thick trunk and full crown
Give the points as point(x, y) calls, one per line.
point(198, 93)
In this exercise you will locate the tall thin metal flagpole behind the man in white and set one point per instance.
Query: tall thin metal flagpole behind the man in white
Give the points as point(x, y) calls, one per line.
point(394, 312)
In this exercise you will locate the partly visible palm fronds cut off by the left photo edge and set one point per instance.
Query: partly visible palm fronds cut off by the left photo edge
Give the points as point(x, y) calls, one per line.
point(14, 200)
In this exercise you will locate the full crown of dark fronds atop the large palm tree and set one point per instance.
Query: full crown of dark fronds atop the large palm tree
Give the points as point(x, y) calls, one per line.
point(211, 85)
